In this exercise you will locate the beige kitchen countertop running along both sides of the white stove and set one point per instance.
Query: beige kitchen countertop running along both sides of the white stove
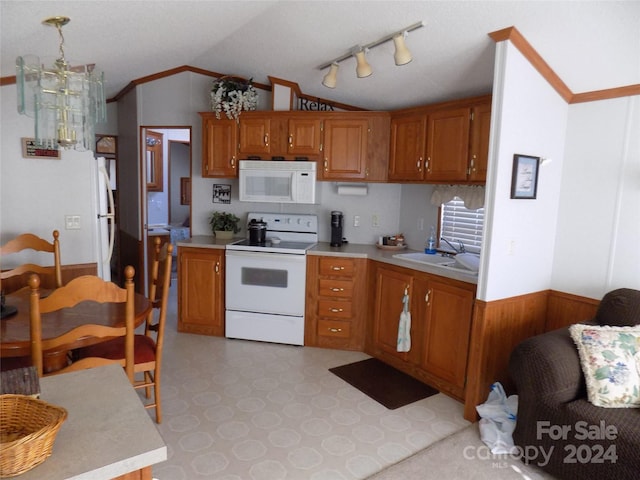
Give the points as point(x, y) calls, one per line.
point(353, 250)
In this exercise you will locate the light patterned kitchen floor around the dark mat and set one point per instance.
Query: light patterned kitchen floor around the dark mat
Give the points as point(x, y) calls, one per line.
point(235, 409)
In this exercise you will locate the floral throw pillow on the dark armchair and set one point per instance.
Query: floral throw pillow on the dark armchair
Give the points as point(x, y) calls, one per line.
point(610, 359)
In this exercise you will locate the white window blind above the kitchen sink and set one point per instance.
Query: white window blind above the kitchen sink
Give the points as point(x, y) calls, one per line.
point(458, 223)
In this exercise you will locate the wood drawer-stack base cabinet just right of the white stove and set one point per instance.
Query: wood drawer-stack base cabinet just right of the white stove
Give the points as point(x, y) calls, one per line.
point(336, 302)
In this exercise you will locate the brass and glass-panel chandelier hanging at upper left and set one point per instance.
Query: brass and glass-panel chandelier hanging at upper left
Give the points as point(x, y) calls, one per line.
point(66, 101)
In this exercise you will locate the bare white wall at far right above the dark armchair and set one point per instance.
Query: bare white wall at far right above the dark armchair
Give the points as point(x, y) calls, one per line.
point(598, 239)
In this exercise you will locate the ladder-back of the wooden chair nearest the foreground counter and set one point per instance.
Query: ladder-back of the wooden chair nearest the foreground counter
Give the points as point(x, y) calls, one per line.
point(81, 289)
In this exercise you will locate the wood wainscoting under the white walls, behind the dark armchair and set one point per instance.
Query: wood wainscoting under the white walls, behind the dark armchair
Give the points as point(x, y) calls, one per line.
point(499, 326)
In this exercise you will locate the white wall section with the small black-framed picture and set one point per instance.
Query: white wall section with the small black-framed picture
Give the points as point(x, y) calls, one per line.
point(528, 117)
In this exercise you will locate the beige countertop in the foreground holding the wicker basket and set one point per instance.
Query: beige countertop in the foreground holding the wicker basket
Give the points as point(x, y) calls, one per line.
point(107, 433)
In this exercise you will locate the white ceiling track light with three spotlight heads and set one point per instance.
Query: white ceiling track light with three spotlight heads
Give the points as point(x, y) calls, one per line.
point(402, 56)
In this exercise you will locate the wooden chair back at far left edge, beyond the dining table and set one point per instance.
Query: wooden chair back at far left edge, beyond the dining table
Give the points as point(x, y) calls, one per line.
point(30, 241)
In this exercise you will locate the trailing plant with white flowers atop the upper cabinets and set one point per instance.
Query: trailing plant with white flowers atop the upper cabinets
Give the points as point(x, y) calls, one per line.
point(231, 95)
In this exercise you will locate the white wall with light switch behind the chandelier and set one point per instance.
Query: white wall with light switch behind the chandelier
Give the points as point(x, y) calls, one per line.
point(35, 195)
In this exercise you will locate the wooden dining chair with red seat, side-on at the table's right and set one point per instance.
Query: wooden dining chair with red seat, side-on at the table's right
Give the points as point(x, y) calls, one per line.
point(148, 346)
